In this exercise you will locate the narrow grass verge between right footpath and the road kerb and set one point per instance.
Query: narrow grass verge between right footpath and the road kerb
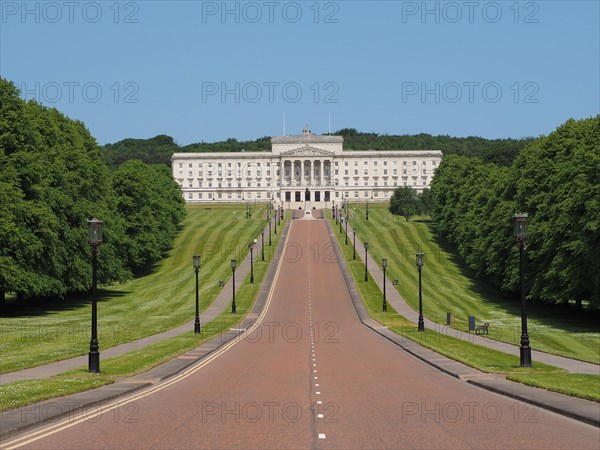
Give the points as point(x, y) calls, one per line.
point(477, 356)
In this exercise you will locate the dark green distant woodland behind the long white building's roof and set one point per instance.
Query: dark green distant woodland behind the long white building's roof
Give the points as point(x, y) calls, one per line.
point(159, 149)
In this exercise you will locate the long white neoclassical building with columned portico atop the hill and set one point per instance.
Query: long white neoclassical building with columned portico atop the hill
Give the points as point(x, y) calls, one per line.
point(306, 170)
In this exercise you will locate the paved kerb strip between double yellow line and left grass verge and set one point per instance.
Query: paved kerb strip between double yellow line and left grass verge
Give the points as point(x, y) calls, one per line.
point(89, 402)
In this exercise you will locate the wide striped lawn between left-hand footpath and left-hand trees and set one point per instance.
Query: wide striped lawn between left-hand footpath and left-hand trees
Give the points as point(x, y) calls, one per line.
point(145, 306)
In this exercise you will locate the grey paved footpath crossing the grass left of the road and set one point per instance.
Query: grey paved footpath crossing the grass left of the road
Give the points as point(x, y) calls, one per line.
point(220, 303)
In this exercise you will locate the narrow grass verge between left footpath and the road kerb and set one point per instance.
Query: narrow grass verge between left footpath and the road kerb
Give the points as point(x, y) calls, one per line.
point(18, 394)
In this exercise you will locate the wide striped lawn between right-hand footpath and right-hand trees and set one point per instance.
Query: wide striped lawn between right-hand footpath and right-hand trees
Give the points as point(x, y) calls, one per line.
point(449, 286)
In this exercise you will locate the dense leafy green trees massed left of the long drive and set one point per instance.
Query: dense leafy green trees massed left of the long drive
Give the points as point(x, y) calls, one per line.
point(53, 179)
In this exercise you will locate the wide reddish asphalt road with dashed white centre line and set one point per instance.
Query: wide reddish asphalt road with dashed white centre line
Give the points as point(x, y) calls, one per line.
point(311, 376)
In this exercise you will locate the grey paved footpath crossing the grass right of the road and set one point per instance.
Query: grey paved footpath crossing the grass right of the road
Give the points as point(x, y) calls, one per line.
point(403, 308)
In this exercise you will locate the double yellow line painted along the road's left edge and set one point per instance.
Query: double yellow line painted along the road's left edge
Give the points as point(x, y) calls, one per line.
point(102, 409)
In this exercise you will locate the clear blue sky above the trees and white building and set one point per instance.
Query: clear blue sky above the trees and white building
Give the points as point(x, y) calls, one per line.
point(206, 71)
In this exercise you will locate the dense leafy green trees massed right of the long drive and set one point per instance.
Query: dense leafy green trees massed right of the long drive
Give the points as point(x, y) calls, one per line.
point(556, 180)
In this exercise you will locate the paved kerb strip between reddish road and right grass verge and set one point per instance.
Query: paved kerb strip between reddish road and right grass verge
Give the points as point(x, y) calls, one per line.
point(575, 408)
